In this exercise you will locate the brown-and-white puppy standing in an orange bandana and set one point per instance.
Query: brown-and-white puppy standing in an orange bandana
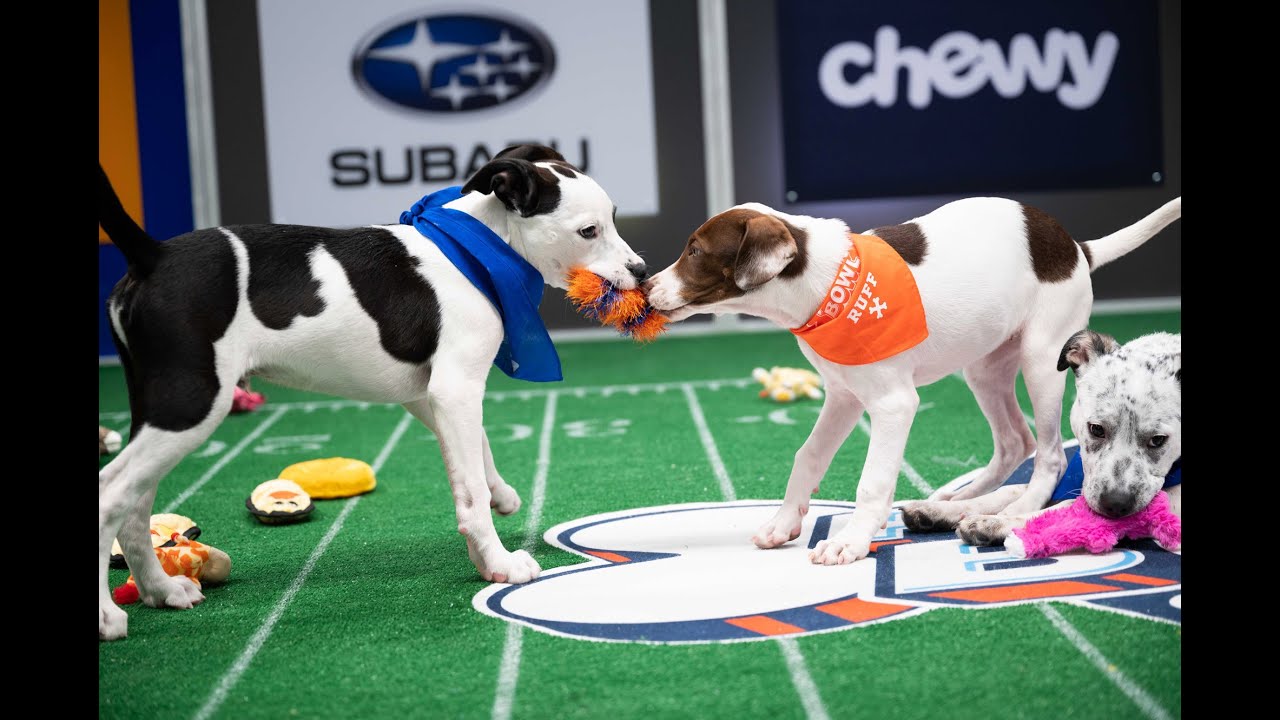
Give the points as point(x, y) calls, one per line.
point(1002, 285)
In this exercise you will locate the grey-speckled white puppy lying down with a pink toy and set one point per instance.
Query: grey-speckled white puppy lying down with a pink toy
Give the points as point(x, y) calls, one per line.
point(1128, 416)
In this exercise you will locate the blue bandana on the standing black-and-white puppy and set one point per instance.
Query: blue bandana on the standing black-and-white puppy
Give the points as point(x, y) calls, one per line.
point(509, 281)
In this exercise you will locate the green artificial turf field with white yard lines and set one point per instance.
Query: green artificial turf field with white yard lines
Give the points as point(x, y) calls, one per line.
point(383, 623)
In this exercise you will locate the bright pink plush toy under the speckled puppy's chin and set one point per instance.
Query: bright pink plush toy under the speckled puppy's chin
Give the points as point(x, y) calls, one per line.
point(1078, 526)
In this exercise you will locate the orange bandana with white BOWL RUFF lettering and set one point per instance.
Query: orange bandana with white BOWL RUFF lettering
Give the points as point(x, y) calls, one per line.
point(872, 311)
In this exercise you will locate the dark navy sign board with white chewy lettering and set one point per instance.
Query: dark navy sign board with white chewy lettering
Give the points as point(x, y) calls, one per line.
point(935, 97)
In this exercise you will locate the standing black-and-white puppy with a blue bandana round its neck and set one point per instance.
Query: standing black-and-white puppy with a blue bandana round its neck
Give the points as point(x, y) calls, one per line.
point(376, 313)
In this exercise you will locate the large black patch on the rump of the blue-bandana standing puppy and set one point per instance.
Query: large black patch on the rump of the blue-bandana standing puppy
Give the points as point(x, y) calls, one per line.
point(172, 320)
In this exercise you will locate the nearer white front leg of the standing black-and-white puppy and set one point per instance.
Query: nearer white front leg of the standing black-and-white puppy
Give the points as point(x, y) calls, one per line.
point(455, 407)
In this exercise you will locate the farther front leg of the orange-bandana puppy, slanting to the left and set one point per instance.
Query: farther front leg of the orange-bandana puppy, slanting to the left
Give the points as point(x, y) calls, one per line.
point(839, 416)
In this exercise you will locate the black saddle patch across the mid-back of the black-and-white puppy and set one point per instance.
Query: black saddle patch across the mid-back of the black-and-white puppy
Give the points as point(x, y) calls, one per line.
point(378, 267)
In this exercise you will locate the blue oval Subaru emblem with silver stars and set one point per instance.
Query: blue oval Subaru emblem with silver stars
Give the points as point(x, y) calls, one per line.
point(454, 63)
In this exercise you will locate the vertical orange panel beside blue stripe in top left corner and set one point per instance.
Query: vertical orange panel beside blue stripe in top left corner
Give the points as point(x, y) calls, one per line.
point(117, 108)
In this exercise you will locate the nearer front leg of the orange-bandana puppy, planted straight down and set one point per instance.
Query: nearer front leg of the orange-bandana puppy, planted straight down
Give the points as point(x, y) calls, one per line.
point(892, 414)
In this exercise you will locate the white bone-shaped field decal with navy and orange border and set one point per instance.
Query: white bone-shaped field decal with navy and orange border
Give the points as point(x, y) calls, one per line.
point(691, 575)
